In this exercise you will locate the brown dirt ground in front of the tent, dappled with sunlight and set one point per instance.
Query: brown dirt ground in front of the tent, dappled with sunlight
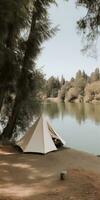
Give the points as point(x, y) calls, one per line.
point(36, 177)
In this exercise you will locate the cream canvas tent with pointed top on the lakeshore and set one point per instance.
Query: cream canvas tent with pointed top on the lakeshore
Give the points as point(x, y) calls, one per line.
point(40, 138)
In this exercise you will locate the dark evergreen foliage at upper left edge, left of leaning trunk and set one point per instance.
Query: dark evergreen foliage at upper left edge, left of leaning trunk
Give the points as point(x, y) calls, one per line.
point(14, 17)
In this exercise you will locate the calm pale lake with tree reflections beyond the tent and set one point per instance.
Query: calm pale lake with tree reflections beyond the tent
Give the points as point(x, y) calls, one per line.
point(78, 124)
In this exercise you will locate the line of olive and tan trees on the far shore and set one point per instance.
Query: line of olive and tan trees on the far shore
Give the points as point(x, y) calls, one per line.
point(81, 88)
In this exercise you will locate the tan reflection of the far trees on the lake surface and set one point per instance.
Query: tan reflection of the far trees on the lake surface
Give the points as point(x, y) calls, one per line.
point(79, 111)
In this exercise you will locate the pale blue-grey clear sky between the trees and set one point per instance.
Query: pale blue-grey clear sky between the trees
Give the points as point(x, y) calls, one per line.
point(62, 55)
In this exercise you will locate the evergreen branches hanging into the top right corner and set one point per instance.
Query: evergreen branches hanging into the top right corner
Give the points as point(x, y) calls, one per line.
point(89, 25)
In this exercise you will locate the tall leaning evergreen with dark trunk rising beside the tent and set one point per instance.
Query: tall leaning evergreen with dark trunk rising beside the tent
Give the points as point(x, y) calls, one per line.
point(40, 31)
